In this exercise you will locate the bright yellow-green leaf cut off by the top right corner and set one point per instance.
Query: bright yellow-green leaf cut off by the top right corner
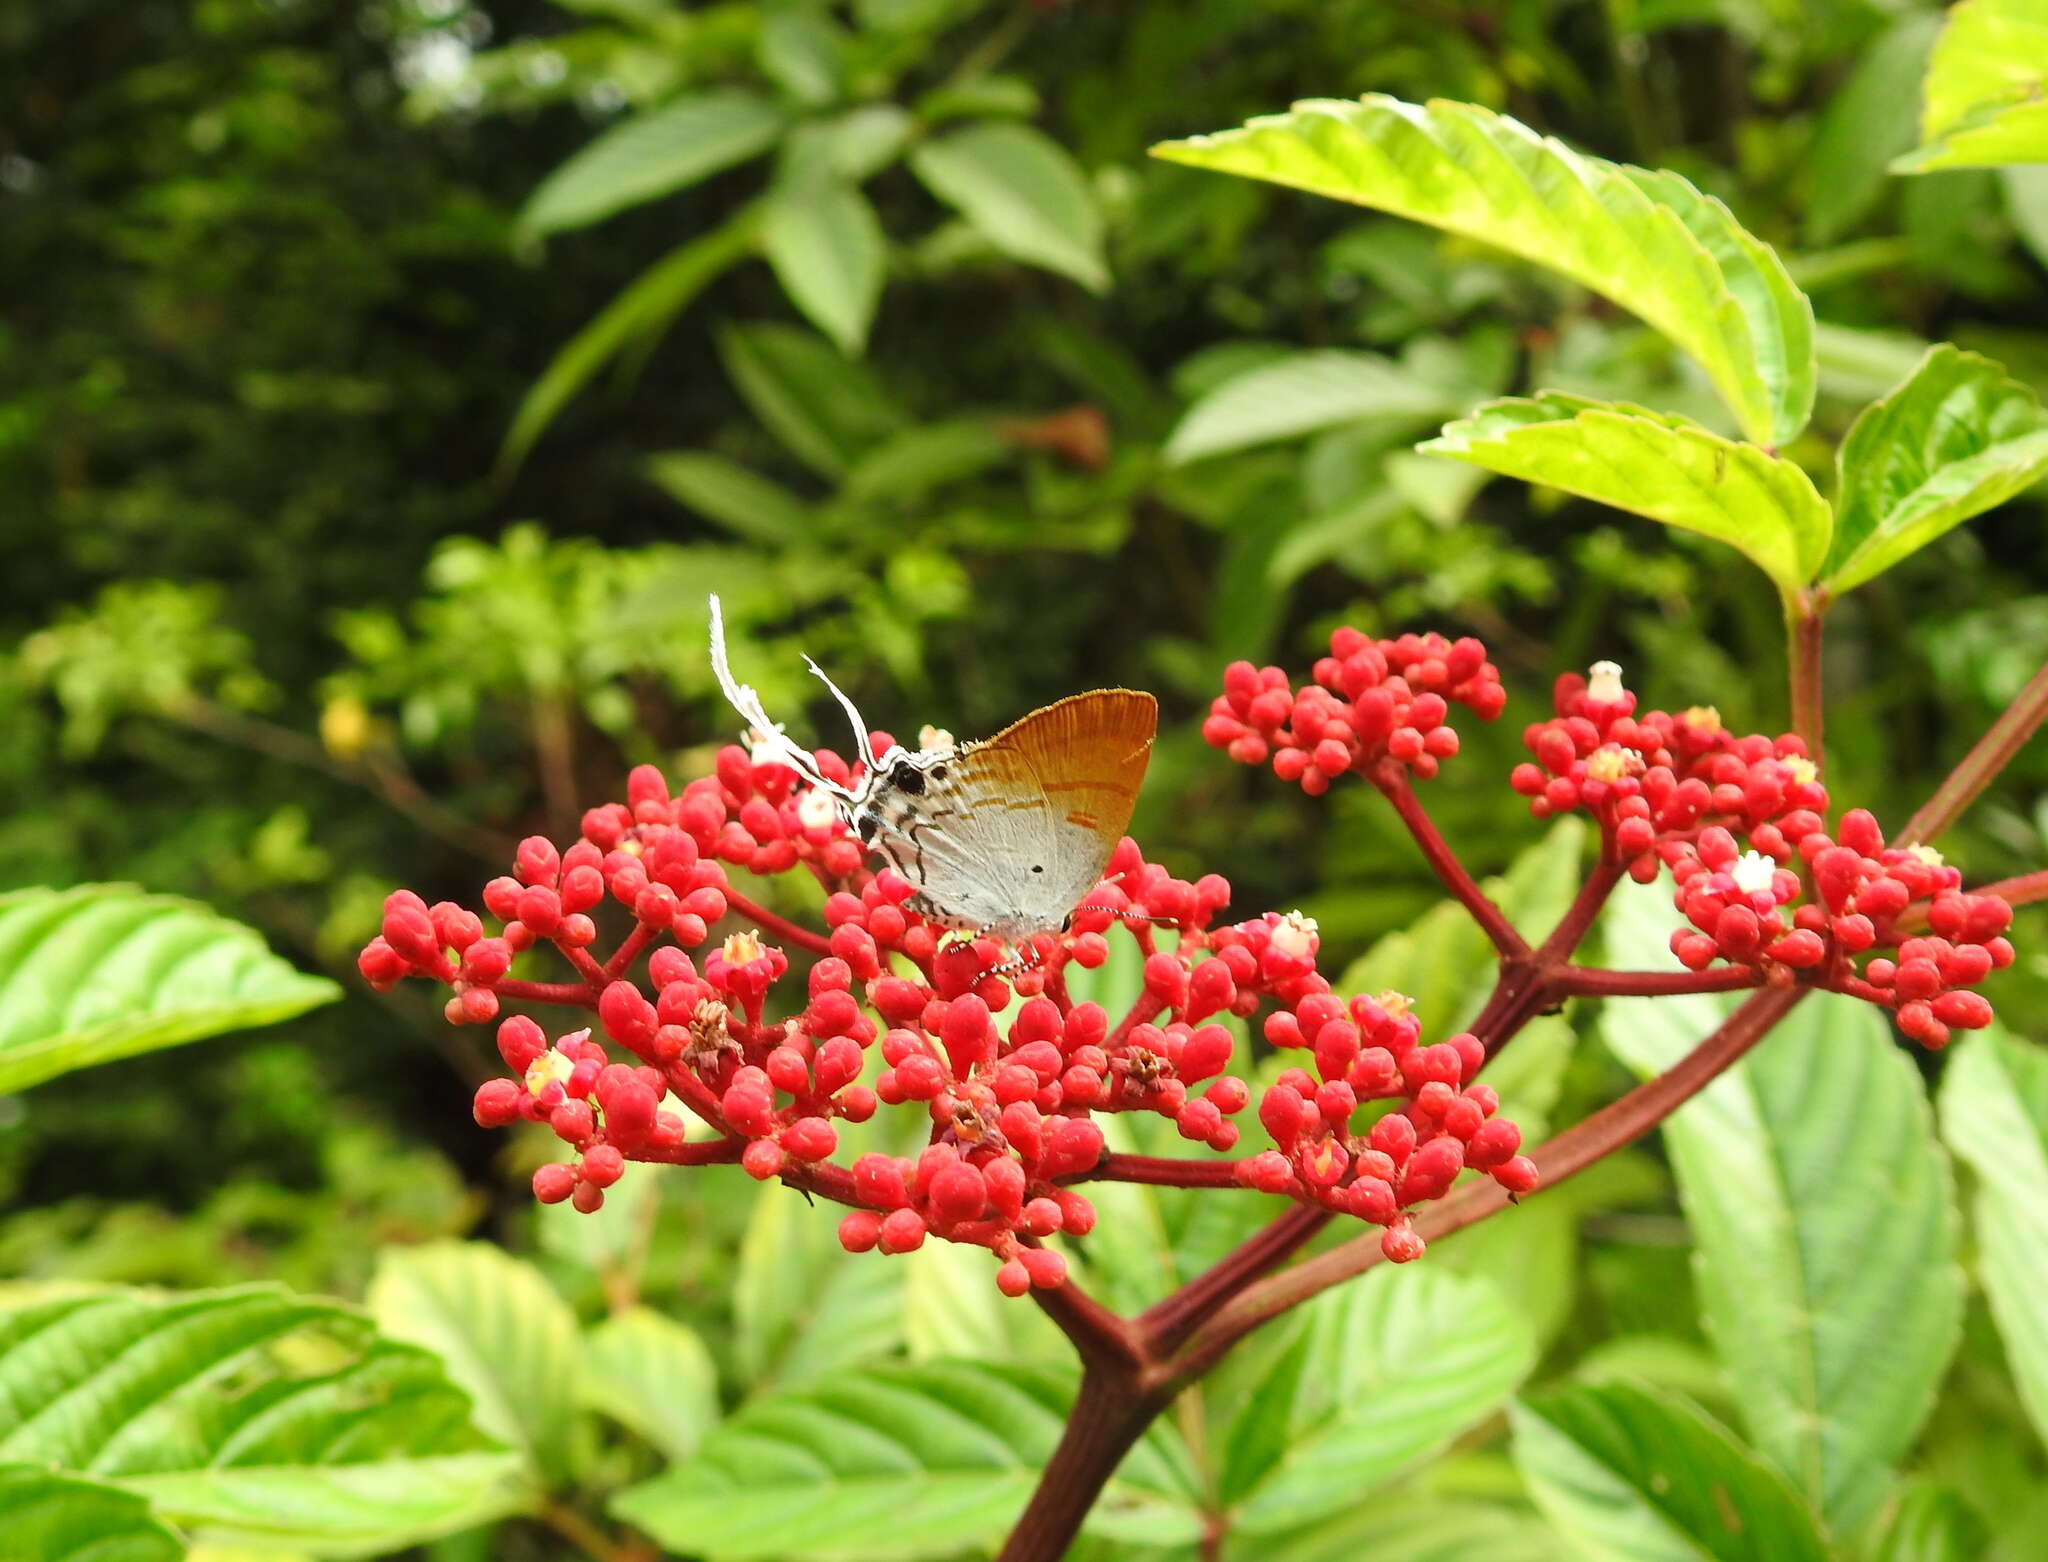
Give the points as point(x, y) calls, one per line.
point(1983, 95)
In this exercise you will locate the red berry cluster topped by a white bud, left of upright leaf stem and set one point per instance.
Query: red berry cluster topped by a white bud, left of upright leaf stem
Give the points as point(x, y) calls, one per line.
point(1662, 775)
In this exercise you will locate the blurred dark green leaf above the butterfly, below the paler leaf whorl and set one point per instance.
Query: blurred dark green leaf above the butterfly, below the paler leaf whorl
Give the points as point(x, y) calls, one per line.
point(824, 408)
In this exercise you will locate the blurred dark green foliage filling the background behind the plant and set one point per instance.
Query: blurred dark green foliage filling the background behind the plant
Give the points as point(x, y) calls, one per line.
point(384, 384)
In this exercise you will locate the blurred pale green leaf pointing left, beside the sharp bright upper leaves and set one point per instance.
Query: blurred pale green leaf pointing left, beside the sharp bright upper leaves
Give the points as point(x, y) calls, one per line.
point(1304, 394)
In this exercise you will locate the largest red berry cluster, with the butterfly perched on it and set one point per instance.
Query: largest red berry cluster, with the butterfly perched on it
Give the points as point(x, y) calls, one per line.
point(1011, 1070)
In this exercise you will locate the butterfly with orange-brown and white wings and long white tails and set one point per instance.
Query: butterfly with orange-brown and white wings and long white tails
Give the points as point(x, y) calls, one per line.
point(1002, 836)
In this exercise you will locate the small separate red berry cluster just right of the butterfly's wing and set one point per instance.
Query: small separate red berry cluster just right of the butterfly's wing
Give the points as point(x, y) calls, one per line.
point(1371, 701)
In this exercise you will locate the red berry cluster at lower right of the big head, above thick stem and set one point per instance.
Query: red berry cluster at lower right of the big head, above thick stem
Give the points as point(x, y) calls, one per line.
point(1443, 1123)
